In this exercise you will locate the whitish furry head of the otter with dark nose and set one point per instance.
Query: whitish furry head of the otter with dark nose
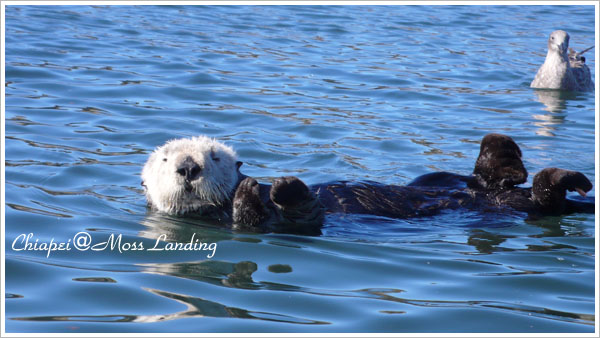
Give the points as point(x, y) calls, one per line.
point(190, 175)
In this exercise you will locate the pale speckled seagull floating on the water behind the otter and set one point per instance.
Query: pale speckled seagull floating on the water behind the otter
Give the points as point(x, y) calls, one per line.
point(563, 70)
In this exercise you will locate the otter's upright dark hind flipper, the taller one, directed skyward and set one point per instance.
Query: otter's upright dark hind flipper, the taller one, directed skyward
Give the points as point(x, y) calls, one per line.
point(499, 163)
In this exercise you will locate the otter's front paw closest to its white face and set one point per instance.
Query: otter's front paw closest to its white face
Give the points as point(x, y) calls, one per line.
point(248, 209)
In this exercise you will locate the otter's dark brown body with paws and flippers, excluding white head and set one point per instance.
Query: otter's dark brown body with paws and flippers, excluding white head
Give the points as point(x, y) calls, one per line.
point(290, 206)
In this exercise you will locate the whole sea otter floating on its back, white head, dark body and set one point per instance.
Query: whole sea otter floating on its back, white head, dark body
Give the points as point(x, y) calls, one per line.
point(201, 175)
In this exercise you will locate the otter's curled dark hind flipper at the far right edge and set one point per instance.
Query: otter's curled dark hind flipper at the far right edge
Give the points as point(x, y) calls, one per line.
point(551, 184)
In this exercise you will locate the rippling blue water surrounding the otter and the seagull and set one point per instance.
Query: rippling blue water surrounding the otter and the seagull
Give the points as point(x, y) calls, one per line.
point(384, 93)
